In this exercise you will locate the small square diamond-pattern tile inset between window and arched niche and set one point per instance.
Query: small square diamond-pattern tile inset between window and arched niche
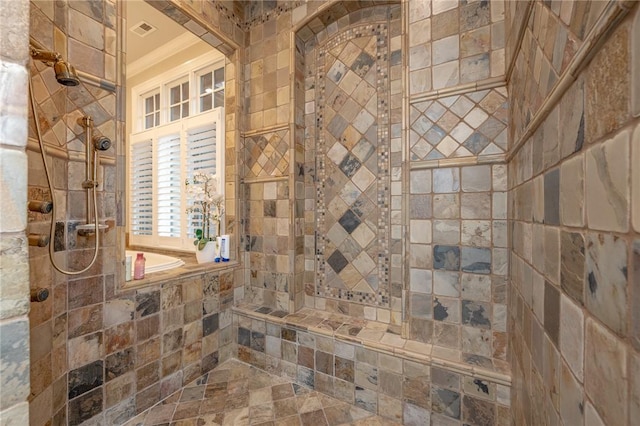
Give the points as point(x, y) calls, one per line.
point(267, 154)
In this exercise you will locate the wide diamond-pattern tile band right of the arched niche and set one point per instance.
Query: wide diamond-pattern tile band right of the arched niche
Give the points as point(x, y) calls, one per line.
point(467, 125)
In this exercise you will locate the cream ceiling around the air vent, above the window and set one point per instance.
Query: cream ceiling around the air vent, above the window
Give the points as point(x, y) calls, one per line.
point(167, 30)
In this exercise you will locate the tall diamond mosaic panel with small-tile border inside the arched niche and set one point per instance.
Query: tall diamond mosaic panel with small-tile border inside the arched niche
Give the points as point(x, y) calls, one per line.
point(353, 166)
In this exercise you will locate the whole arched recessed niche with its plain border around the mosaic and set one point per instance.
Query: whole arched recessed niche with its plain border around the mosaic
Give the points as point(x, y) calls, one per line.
point(350, 74)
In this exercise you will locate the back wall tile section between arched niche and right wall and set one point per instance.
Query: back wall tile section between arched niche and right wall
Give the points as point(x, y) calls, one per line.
point(457, 260)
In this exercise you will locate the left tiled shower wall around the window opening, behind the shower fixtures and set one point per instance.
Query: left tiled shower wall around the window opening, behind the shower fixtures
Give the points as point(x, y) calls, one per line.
point(98, 352)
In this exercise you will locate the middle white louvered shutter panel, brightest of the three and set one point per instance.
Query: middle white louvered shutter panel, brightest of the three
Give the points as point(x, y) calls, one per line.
point(169, 186)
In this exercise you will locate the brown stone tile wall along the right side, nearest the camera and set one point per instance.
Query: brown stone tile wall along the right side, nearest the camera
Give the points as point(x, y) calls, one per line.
point(575, 275)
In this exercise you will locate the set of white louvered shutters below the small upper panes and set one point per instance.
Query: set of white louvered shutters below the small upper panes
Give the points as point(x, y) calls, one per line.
point(158, 197)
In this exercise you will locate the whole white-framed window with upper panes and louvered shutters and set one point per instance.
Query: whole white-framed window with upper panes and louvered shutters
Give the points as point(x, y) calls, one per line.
point(180, 131)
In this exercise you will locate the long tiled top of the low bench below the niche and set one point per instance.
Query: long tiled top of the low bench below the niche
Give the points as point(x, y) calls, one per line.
point(374, 335)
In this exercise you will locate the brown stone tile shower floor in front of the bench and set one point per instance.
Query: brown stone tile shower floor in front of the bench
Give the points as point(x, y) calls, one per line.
point(235, 393)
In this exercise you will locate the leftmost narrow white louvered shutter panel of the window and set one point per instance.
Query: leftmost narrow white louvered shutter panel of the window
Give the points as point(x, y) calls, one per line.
point(141, 188)
